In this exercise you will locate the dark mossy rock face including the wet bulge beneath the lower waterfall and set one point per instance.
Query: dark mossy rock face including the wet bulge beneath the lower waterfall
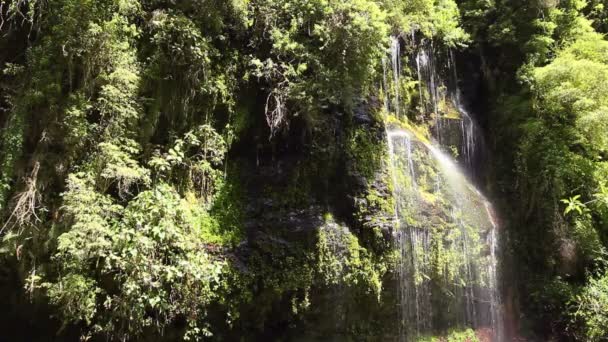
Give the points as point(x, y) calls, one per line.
point(322, 245)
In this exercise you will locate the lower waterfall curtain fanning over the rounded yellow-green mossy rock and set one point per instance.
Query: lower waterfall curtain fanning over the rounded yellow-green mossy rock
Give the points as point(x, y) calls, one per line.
point(447, 239)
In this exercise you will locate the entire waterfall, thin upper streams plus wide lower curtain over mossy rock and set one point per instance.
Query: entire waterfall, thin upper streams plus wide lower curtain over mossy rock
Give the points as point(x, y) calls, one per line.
point(446, 229)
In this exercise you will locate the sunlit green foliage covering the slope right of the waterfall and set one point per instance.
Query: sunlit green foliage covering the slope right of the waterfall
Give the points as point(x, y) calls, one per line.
point(545, 67)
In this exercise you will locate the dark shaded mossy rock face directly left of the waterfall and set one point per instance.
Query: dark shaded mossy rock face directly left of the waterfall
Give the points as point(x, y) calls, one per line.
point(318, 257)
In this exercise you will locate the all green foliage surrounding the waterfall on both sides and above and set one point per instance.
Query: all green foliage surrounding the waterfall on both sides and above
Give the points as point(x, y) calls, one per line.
point(204, 169)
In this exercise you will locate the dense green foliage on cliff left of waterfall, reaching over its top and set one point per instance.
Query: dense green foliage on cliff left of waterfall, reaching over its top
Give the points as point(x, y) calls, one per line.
point(128, 128)
